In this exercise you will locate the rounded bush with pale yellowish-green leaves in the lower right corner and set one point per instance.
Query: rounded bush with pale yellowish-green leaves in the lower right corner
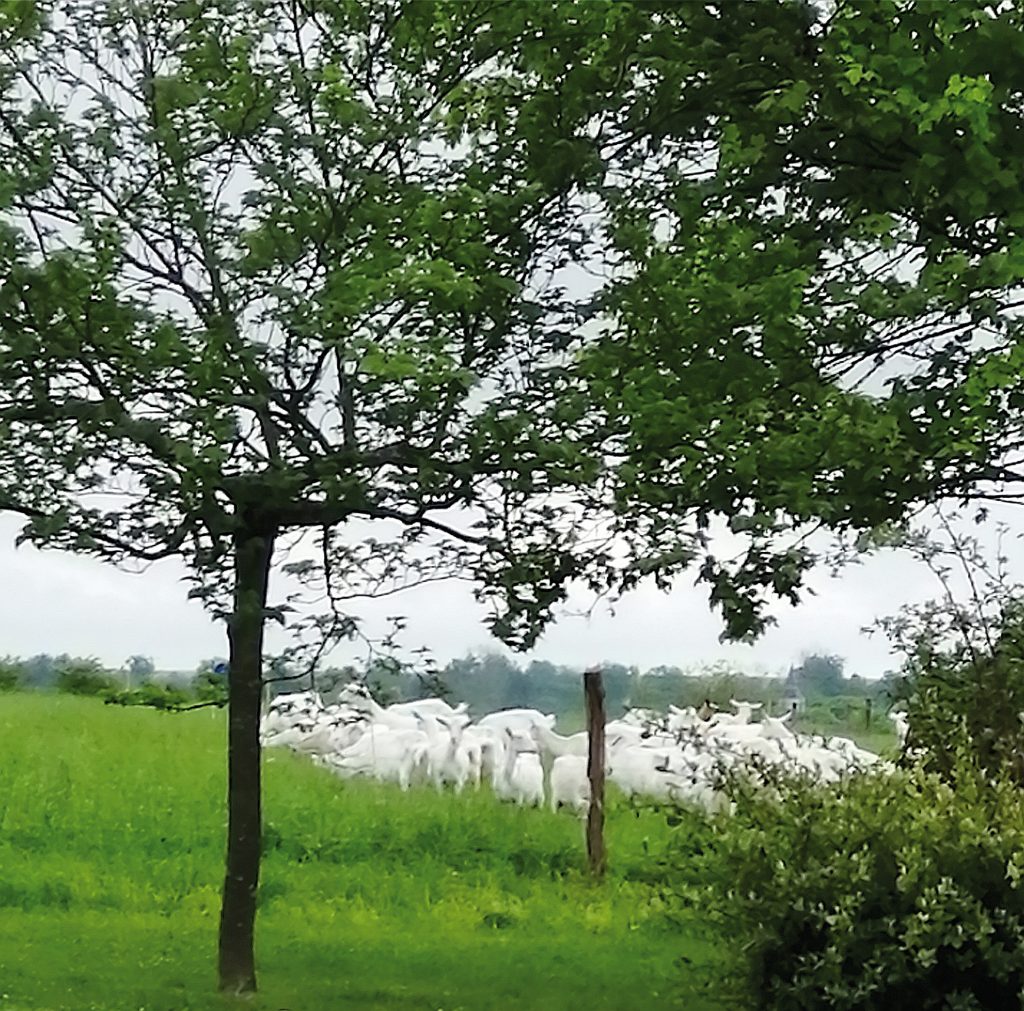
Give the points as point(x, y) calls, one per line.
point(889, 892)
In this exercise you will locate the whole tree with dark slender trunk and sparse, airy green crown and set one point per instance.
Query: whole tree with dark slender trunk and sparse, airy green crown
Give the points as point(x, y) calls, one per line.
point(279, 268)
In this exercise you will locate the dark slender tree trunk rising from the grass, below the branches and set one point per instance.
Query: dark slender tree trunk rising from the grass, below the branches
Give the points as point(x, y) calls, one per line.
point(237, 962)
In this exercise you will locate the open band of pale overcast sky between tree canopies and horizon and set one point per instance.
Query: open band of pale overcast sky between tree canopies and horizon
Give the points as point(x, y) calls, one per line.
point(54, 603)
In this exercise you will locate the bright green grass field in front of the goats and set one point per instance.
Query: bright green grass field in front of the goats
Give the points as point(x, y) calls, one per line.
point(111, 862)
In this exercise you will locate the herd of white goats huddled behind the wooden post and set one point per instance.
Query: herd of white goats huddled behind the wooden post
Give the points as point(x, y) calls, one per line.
point(673, 757)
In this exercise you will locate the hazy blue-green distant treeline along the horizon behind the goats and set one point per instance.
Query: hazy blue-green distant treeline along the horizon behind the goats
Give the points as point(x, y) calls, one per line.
point(488, 683)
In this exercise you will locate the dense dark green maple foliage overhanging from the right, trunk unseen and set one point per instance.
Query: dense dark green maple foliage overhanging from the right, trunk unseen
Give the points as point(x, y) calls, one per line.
point(818, 321)
